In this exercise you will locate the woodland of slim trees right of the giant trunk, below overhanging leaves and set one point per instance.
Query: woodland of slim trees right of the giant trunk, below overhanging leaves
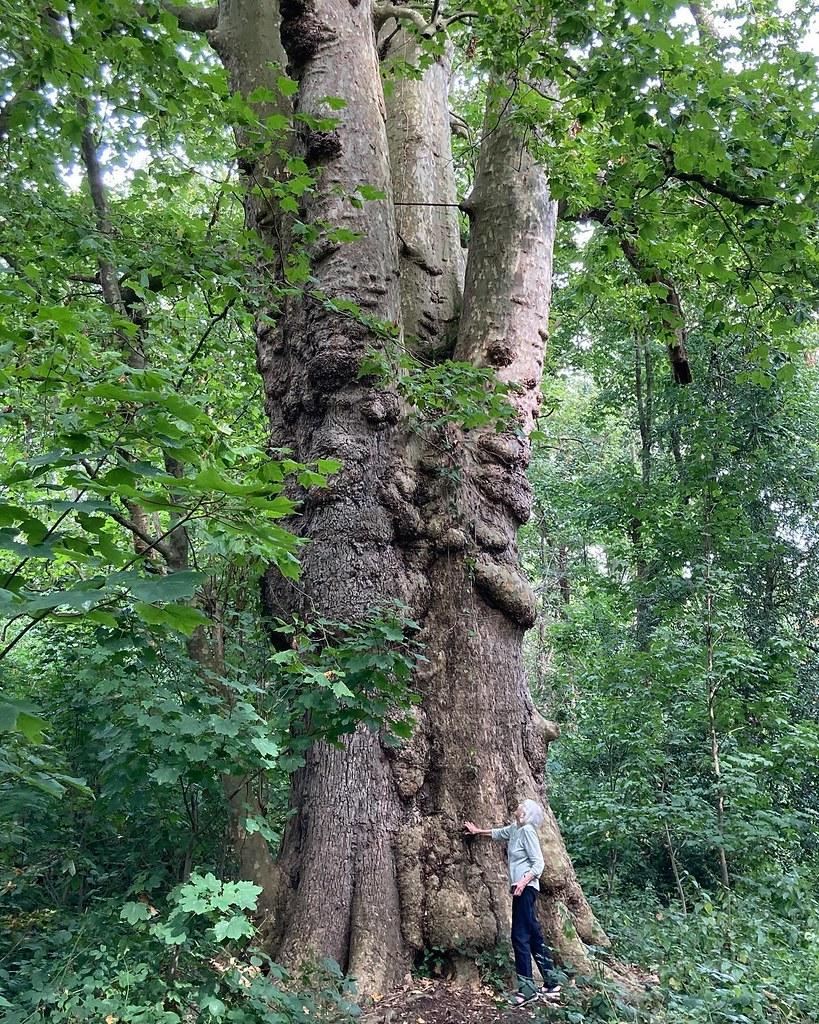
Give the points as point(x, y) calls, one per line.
point(669, 523)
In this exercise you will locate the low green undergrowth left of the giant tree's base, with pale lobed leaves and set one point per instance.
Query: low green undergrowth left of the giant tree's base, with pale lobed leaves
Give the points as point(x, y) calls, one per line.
point(190, 959)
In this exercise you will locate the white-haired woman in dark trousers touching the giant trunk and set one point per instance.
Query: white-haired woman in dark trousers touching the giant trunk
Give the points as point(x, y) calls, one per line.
point(526, 868)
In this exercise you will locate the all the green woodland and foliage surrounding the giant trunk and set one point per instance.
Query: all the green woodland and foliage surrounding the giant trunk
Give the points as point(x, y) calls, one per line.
point(674, 546)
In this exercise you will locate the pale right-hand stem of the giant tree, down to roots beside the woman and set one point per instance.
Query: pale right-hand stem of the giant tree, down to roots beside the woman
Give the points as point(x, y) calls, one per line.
point(483, 620)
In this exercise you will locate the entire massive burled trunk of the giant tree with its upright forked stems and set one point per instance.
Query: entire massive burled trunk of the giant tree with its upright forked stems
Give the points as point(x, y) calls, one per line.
point(374, 866)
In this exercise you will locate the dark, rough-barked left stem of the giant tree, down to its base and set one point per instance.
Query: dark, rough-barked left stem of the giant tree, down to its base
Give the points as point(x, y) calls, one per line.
point(338, 892)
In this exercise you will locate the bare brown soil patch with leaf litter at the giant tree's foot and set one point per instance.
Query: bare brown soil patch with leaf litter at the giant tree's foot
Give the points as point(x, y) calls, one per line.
point(434, 1002)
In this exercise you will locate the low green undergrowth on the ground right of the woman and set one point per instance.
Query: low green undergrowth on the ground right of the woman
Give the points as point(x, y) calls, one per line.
point(743, 958)
